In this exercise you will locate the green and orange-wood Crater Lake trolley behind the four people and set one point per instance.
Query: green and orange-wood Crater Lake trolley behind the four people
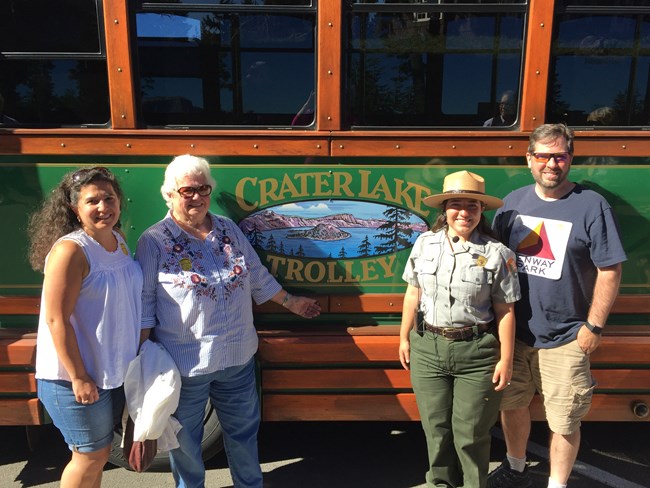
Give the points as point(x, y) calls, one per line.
point(345, 113)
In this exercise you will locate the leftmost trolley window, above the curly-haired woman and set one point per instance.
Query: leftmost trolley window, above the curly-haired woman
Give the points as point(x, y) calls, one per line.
point(52, 65)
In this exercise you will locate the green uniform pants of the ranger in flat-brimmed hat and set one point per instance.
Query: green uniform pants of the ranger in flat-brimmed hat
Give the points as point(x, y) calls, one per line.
point(452, 381)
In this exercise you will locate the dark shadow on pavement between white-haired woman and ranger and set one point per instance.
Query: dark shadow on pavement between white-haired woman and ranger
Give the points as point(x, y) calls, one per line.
point(351, 455)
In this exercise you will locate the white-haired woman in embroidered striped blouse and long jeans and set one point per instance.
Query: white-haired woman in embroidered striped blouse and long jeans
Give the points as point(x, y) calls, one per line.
point(201, 276)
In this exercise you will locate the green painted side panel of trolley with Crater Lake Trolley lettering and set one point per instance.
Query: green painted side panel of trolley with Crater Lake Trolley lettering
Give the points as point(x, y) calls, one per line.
point(321, 225)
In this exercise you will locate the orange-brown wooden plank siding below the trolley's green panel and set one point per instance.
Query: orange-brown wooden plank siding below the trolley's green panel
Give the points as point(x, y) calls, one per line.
point(330, 370)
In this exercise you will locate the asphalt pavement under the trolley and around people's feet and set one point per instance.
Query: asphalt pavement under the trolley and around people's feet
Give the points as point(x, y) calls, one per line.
point(346, 455)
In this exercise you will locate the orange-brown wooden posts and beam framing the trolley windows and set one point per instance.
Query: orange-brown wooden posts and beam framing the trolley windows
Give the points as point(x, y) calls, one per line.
point(329, 139)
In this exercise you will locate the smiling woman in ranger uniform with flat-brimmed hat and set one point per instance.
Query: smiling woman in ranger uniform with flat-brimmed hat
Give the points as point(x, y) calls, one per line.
point(457, 330)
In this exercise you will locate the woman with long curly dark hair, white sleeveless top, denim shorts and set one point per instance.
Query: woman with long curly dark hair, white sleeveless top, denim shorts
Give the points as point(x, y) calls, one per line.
point(89, 323)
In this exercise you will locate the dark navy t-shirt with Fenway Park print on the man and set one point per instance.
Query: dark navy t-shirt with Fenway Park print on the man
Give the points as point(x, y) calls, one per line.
point(559, 246)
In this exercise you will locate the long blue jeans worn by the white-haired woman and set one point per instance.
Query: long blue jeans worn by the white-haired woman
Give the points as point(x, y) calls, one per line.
point(233, 395)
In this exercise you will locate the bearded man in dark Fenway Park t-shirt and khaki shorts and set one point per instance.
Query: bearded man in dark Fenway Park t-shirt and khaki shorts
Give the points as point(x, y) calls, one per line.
point(567, 240)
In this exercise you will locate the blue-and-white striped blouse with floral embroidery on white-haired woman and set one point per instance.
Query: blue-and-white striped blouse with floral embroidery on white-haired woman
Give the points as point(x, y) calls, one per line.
point(198, 294)
